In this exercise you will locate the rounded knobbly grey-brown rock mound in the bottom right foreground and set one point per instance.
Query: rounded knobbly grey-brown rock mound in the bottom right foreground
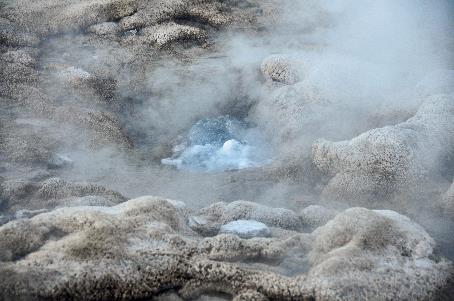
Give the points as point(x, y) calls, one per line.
point(360, 229)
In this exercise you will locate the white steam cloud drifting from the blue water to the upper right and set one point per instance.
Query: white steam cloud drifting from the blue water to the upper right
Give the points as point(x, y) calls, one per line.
point(360, 56)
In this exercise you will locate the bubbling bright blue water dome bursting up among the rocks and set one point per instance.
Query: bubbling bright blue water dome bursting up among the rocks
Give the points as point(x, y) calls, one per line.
point(219, 144)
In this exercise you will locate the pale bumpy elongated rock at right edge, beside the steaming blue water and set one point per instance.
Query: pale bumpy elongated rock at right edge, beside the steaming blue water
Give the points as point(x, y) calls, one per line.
point(386, 159)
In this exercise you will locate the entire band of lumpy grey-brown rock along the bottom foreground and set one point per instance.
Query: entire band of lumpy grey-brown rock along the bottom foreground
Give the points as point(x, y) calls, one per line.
point(144, 246)
